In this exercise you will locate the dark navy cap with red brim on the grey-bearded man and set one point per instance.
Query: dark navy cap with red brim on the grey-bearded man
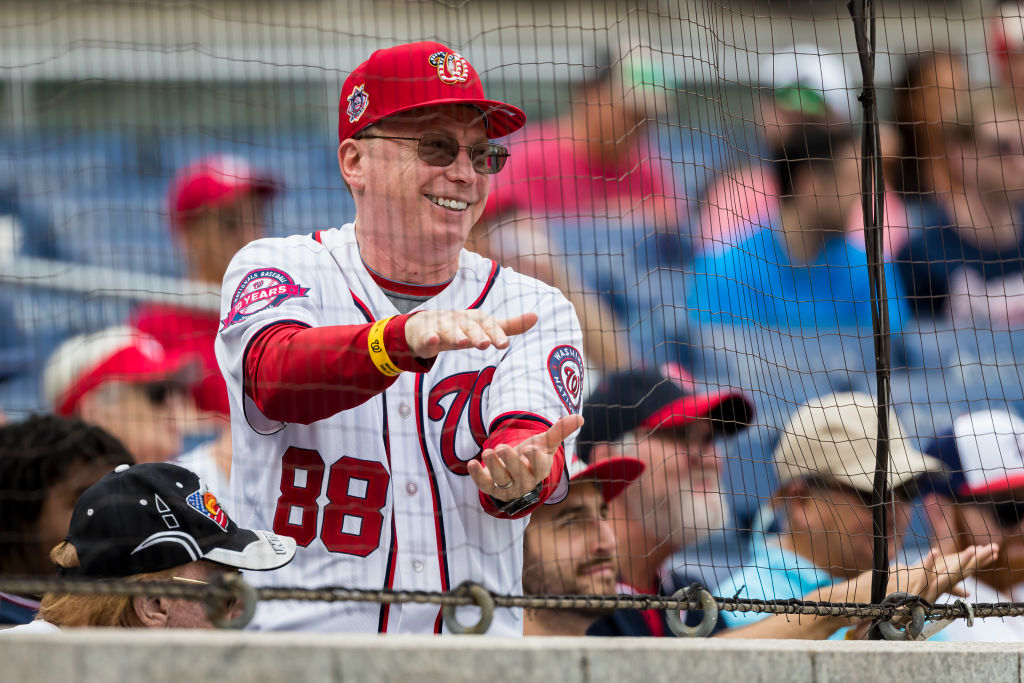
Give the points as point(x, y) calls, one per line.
point(626, 401)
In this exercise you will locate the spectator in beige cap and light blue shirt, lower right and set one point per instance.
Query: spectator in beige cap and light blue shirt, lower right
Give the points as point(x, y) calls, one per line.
point(826, 465)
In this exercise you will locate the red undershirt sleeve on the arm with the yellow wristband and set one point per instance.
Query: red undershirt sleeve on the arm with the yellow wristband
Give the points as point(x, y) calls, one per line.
point(301, 375)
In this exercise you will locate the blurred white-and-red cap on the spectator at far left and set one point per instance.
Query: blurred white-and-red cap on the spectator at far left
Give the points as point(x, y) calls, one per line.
point(116, 355)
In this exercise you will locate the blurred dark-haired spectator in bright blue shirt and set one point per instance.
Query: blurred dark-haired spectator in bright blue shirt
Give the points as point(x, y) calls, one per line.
point(801, 271)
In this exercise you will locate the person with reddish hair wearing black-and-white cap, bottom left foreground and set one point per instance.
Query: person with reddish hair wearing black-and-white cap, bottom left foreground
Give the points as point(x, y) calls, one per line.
point(120, 530)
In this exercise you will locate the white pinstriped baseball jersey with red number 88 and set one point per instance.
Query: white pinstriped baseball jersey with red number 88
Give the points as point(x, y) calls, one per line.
point(379, 496)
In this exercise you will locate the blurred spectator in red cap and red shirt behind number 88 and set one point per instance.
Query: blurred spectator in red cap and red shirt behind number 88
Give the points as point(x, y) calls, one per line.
point(218, 205)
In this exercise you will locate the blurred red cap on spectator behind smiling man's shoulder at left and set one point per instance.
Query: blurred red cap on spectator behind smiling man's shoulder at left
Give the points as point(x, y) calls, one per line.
point(216, 181)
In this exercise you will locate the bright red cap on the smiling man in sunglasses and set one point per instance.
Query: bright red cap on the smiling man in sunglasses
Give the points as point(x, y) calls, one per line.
point(408, 77)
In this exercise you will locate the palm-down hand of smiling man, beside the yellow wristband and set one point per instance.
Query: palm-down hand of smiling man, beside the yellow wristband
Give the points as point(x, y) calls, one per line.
point(431, 332)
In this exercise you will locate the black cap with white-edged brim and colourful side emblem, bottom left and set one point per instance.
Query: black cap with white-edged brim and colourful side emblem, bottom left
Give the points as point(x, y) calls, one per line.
point(157, 517)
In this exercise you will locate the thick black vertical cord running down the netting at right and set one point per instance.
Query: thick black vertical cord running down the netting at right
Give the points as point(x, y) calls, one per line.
point(873, 200)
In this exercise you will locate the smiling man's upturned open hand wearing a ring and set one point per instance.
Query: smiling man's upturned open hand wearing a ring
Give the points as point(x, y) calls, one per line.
point(510, 473)
